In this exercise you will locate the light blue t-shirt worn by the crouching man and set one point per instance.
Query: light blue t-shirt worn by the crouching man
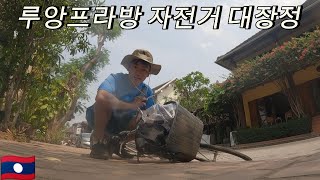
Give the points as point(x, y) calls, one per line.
point(120, 86)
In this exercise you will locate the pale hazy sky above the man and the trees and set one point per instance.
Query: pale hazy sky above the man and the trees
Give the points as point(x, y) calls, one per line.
point(180, 51)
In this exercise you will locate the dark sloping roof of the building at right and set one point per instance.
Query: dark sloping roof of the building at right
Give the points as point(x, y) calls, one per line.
point(265, 40)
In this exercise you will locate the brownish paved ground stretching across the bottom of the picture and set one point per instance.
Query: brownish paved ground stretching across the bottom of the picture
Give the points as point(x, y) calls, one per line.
point(298, 160)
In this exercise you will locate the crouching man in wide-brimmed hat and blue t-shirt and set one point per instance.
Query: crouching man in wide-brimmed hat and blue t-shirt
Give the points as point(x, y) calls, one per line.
point(118, 100)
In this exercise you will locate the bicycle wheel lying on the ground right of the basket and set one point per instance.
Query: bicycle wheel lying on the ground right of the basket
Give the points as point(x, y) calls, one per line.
point(222, 149)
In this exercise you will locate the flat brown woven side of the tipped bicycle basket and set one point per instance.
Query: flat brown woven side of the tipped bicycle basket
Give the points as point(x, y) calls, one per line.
point(185, 135)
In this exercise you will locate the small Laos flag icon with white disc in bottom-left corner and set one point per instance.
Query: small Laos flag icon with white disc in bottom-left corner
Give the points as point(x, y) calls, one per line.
point(15, 167)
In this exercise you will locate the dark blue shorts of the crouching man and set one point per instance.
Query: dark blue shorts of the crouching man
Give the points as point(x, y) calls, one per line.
point(119, 121)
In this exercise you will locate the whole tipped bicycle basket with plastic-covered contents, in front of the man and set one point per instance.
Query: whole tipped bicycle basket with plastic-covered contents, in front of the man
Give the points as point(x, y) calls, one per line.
point(169, 131)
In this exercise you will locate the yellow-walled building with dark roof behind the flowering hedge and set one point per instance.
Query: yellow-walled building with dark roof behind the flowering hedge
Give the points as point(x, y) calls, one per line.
point(257, 98)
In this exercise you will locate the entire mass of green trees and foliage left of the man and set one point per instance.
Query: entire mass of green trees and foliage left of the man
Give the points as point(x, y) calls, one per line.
point(40, 86)
